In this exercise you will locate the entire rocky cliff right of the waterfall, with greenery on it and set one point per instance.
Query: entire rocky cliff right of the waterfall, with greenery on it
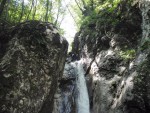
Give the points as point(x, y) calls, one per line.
point(115, 48)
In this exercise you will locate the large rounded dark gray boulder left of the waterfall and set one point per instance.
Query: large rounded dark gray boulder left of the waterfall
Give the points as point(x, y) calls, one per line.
point(30, 68)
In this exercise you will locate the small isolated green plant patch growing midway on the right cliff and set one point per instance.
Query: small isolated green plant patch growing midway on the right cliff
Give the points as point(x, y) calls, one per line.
point(127, 54)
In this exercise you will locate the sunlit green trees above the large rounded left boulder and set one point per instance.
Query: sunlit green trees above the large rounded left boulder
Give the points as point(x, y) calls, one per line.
point(16, 11)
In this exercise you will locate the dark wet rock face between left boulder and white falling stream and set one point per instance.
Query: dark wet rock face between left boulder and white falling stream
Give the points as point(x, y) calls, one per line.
point(65, 97)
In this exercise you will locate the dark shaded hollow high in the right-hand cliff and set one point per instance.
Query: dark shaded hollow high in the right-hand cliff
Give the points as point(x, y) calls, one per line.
point(130, 24)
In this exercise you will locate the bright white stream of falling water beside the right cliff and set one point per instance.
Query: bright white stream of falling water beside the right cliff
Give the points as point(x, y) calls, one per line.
point(82, 98)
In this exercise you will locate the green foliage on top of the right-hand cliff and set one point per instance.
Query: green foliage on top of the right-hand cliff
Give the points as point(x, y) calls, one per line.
point(105, 13)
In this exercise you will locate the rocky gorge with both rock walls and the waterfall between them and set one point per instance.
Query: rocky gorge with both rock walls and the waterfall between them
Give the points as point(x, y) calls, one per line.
point(107, 70)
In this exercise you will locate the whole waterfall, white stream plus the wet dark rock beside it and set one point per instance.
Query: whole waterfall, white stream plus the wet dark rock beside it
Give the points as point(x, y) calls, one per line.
point(73, 91)
